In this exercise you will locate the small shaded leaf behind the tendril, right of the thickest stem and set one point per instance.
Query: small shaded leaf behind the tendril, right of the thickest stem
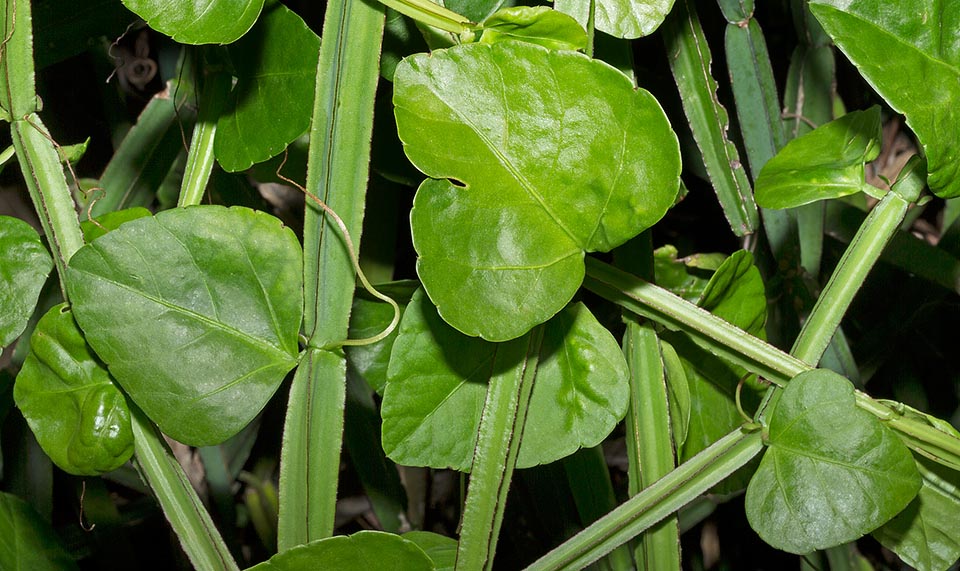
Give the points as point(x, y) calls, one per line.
point(369, 317)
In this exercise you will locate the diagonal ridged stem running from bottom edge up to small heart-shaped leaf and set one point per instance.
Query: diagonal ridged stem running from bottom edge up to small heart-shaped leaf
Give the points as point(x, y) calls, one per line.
point(664, 497)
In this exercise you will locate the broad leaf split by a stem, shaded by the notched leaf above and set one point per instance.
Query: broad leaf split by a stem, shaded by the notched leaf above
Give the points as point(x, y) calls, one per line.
point(437, 383)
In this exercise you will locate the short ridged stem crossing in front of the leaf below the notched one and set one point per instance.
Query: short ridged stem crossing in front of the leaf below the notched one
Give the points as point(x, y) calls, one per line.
point(498, 443)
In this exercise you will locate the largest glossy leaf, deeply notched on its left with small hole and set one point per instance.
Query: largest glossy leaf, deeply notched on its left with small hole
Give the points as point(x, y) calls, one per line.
point(538, 156)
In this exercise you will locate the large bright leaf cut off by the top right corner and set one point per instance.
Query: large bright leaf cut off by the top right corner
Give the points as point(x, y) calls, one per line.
point(910, 53)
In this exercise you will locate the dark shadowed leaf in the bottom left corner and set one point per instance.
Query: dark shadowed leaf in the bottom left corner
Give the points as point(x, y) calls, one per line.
point(28, 542)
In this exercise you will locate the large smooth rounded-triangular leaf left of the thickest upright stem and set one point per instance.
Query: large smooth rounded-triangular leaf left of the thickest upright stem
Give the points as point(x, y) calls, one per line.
point(196, 311)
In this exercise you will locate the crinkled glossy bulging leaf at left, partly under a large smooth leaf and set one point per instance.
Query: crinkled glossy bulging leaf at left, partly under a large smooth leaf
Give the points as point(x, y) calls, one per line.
point(80, 418)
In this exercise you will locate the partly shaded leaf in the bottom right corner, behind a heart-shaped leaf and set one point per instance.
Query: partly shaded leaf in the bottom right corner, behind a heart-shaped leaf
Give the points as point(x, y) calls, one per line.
point(925, 534)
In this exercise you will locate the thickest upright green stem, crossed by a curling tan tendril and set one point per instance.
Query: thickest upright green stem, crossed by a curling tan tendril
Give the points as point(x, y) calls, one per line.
point(337, 168)
